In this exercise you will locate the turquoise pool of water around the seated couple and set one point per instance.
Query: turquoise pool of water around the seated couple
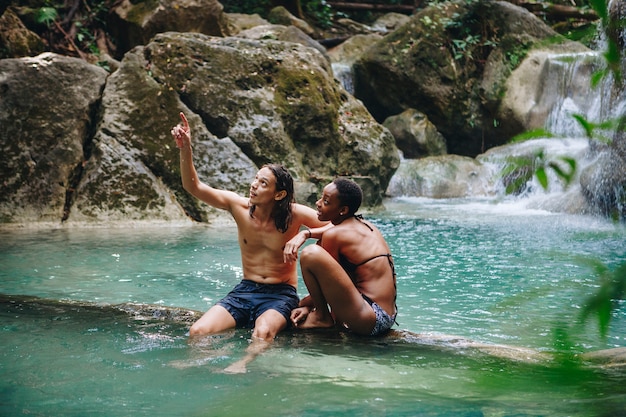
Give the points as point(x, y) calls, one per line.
point(469, 273)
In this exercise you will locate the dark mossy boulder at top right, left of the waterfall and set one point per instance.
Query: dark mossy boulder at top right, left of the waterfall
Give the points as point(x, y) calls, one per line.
point(451, 62)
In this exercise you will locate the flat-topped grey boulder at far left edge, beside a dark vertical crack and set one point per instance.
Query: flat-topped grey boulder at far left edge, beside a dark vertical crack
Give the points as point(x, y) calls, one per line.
point(47, 108)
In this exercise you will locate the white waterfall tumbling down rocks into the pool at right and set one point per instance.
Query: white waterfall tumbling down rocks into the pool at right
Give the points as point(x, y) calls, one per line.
point(569, 92)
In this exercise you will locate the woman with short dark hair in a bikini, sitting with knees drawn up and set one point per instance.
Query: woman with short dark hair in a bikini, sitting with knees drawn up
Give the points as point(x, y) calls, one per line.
point(351, 269)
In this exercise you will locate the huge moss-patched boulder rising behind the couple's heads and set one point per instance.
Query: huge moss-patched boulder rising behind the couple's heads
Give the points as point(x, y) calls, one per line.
point(278, 102)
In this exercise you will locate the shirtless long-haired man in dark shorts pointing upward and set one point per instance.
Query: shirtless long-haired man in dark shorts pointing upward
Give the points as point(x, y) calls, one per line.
point(266, 220)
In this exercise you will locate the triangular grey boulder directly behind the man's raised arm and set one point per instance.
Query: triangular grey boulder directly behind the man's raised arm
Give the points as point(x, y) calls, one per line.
point(133, 170)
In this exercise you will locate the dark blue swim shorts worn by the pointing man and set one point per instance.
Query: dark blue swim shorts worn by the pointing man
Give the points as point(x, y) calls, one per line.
point(248, 300)
